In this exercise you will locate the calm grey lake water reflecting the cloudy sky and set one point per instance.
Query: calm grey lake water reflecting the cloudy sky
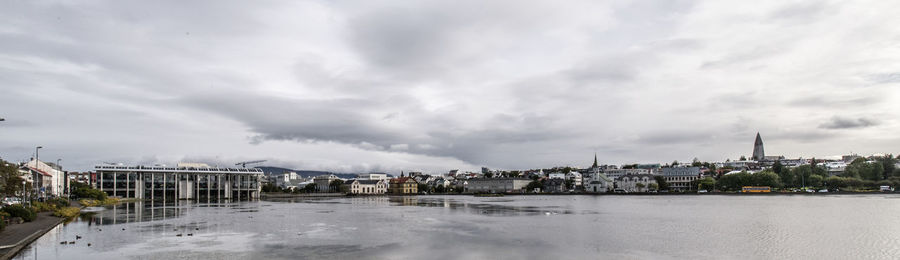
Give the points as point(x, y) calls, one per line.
point(514, 227)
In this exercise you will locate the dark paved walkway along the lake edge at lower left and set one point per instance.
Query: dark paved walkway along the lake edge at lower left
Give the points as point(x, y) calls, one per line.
point(15, 237)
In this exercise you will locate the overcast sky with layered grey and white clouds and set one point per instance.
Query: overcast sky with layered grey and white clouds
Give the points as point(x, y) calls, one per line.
point(361, 86)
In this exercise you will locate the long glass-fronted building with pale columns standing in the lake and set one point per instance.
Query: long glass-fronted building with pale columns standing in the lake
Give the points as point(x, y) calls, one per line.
point(195, 181)
